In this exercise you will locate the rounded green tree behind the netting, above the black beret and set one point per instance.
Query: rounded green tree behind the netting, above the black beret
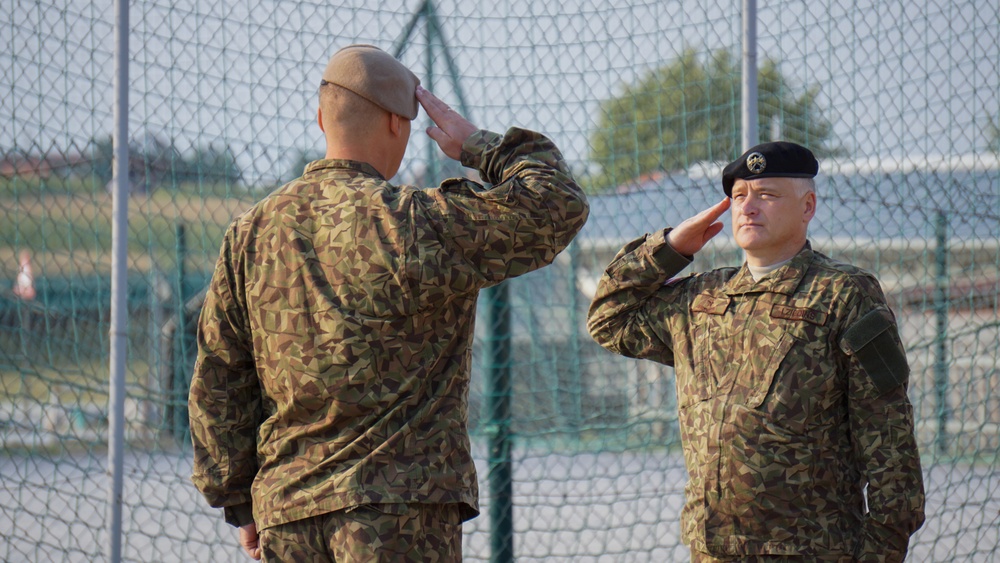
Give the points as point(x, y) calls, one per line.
point(689, 111)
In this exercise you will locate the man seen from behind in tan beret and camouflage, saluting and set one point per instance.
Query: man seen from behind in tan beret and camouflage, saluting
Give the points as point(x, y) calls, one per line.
point(329, 402)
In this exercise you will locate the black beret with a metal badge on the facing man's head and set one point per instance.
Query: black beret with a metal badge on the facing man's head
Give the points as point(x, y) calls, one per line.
point(780, 159)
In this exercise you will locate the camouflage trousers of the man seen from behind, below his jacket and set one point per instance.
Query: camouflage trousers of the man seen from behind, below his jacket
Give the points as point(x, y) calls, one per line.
point(371, 534)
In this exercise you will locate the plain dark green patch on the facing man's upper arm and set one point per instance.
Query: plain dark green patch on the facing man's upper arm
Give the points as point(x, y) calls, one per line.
point(874, 341)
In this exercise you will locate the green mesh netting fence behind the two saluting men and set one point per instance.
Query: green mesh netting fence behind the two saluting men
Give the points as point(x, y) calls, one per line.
point(901, 100)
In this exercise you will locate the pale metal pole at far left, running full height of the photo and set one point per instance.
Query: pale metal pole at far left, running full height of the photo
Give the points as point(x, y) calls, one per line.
point(119, 281)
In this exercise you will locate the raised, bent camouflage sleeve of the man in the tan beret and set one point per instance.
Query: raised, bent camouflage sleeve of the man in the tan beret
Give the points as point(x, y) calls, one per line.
point(531, 213)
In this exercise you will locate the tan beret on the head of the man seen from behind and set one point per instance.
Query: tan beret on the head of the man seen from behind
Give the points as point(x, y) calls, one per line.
point(376, 76)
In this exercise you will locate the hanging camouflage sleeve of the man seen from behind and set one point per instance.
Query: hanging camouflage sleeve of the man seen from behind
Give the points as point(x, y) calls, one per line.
point(225, 400)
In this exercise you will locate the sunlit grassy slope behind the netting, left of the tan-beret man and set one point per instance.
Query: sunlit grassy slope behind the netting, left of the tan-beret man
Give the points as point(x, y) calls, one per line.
point(69, 231)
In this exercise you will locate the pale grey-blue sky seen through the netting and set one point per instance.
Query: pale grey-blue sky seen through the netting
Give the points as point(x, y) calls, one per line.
point(902, 78)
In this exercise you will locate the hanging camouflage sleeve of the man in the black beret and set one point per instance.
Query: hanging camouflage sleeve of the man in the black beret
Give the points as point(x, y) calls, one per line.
point(881, 419)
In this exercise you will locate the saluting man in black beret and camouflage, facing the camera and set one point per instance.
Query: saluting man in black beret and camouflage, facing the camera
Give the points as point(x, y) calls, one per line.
point(791, 378)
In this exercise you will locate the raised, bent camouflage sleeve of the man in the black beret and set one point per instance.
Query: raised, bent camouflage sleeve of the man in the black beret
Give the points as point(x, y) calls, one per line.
point(620, 317)
